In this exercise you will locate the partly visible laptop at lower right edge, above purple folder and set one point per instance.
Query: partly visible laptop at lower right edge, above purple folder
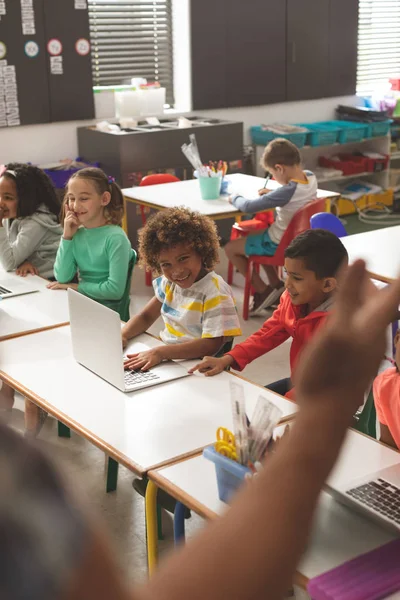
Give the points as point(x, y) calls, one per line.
point(376, 494)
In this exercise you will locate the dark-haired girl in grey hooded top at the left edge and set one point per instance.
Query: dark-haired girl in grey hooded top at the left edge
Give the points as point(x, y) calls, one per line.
point(30, 229)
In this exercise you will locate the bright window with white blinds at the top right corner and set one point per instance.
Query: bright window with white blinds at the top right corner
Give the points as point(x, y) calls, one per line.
point(378, 44)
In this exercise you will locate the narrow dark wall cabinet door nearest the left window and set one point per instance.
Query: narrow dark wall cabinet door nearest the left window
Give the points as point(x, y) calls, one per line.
point(208, 53)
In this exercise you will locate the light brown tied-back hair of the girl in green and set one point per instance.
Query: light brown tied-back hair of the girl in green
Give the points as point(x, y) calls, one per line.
point(114, 211)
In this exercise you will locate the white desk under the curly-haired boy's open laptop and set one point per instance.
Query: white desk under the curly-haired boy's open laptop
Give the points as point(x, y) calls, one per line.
point(140, 430)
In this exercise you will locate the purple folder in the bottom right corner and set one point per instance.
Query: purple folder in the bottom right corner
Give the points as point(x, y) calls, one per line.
point(370, 576)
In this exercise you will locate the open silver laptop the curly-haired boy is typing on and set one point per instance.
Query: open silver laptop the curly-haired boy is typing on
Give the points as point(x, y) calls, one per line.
point(97, 345)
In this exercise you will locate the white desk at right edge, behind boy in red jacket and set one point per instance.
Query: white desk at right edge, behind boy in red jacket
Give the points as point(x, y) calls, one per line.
point(380, 249)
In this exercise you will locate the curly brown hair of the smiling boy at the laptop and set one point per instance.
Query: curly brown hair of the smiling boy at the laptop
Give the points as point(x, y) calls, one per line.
point(174, 226)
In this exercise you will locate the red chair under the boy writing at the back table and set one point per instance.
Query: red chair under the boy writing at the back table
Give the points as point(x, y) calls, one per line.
point(299, 223)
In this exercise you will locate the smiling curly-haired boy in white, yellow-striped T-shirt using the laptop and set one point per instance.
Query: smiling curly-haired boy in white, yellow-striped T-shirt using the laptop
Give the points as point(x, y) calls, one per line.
point(196, 304)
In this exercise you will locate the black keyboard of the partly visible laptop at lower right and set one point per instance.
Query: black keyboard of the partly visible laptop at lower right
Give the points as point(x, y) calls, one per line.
point(381, 496)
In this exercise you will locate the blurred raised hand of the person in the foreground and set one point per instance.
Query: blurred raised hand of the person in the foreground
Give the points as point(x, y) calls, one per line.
point(341, 361)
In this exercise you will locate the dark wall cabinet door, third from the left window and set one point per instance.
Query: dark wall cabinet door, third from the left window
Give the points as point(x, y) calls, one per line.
point(308, 49)
